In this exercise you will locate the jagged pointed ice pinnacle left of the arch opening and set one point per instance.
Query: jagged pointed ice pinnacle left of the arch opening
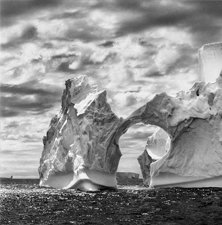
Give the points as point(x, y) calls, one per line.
point(75, 147)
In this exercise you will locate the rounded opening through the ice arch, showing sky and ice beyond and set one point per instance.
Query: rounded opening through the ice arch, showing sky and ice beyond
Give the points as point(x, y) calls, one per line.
point(140, 146)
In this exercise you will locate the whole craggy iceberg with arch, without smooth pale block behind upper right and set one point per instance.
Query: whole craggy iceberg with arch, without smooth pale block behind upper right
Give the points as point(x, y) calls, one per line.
point(81, 147)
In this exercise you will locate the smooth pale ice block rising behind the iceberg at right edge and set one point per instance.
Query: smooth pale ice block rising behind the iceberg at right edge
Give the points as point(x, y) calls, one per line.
point(210, 62)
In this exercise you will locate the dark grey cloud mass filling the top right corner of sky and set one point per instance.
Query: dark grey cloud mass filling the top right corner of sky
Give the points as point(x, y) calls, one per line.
point(201, 18)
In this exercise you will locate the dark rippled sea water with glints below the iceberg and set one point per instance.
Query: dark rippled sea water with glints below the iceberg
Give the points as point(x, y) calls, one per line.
point(24, 202)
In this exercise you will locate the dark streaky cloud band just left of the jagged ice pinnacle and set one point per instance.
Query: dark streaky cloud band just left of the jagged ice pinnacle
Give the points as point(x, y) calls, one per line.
point(27, 98)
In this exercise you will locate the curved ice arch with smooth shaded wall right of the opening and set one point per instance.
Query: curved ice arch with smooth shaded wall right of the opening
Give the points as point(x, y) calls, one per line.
point(193, 157)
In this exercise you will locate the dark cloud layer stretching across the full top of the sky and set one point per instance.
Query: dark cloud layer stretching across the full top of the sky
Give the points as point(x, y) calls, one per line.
point(201, 18)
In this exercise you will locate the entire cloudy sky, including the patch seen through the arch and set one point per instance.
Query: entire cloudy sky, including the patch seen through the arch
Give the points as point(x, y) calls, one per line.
point(134, 49)
